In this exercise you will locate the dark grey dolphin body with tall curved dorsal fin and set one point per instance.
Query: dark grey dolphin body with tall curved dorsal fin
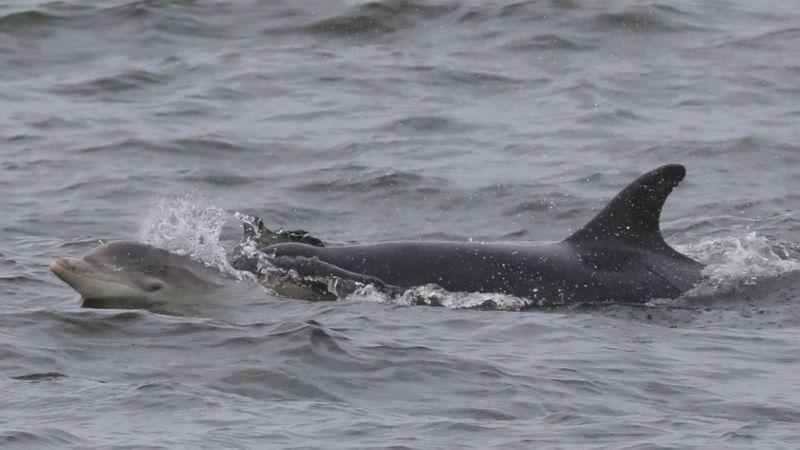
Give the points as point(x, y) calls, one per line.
point(618, 256)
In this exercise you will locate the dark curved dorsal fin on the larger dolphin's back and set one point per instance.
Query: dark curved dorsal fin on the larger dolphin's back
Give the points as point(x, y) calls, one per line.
point(633, 216)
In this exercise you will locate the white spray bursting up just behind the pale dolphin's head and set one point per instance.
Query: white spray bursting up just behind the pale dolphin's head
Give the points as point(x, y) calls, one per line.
point(188, 224)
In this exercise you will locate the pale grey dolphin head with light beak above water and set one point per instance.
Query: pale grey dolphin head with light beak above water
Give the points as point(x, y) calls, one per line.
point(130, 275)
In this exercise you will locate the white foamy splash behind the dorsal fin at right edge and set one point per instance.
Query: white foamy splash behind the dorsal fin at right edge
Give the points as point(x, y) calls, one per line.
point(736, 261)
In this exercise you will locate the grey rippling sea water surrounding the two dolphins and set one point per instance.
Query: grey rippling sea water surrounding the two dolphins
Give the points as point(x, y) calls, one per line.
point(363, 122)
